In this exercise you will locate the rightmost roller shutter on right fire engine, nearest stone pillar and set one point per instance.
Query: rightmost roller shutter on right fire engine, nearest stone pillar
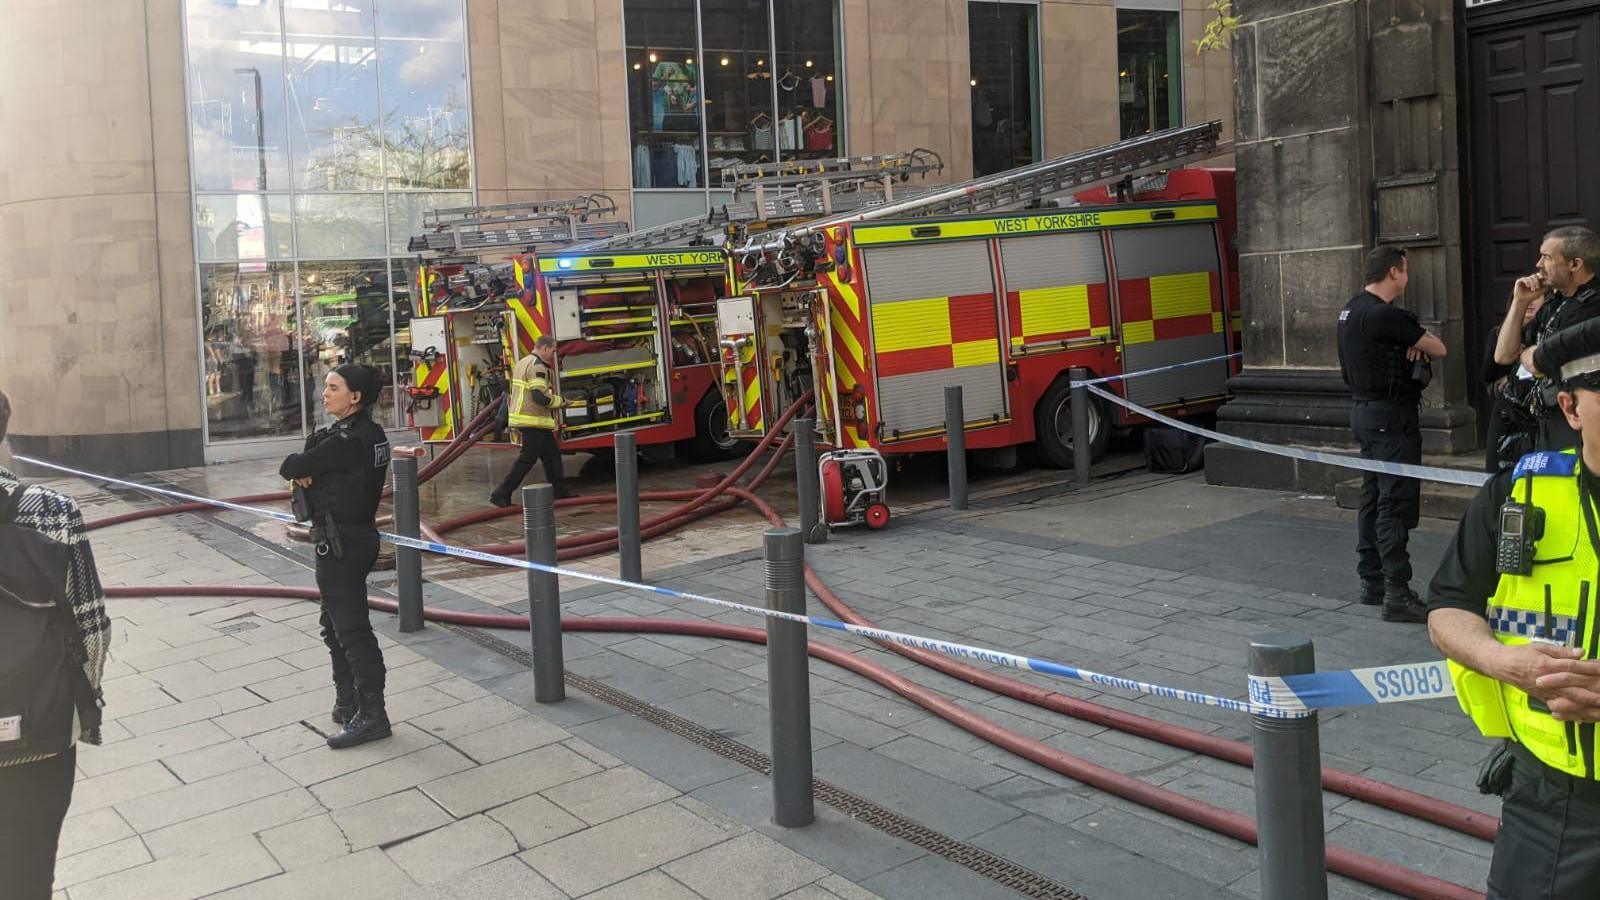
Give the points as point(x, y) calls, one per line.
point(1170, 297)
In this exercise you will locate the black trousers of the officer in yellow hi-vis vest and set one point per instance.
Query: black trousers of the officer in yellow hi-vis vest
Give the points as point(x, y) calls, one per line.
point(1550, 840)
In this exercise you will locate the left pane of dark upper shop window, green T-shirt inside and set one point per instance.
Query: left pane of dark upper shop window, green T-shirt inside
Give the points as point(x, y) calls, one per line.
point(665, 94)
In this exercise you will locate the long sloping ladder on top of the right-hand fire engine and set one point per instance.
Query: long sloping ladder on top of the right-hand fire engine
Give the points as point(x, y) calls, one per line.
point(1134, 158)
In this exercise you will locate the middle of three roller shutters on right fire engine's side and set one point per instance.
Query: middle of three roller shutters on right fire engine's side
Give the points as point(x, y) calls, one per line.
point(1057, 287)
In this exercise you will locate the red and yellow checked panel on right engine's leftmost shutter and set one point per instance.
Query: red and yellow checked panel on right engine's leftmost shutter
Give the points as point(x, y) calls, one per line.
point(943, 332)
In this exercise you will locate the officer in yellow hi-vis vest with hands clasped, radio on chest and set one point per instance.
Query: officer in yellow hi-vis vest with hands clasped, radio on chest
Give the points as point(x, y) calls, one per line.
point(1514, 606)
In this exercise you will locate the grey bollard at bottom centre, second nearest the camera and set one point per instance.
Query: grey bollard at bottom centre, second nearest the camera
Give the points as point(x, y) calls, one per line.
point(788, 680)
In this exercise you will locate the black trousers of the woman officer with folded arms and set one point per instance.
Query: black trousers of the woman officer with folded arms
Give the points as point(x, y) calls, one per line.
point(346, 627)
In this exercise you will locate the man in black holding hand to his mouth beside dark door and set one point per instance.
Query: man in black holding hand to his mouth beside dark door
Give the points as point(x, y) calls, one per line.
point(1564, 294)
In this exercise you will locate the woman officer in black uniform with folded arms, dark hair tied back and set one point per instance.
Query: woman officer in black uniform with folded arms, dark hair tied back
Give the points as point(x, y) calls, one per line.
point(343, 472)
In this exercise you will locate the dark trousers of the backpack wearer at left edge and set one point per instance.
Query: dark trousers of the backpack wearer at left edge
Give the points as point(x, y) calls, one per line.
point(34, 798)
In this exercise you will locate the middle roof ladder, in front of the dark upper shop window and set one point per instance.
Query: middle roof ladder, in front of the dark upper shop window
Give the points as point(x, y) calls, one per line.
point(788, 191)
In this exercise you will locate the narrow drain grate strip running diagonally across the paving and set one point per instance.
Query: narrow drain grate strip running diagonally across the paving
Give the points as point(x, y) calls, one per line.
point(967, 856)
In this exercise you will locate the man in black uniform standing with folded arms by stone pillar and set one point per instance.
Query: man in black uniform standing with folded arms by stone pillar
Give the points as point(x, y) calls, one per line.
point(1380, 353)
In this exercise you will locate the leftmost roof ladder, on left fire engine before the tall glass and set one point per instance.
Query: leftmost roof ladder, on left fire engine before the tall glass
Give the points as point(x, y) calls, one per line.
point(510, 227)
